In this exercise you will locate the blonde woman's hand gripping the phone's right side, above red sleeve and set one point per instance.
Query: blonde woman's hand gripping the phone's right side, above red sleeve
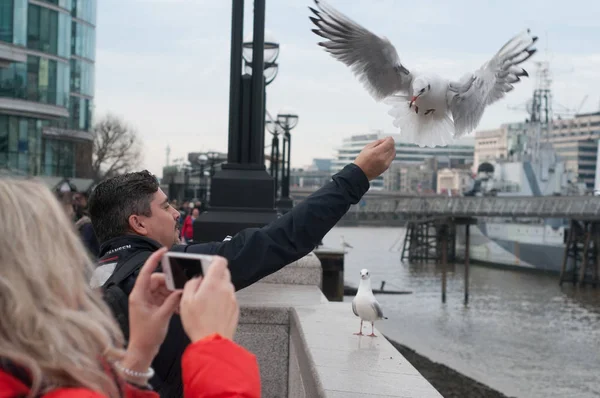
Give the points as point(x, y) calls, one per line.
point(209, 305)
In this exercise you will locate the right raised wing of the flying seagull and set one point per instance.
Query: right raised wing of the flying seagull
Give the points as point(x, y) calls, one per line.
point(469, 97)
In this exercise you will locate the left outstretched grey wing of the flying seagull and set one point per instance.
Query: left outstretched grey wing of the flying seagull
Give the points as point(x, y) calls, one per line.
point(373, 59)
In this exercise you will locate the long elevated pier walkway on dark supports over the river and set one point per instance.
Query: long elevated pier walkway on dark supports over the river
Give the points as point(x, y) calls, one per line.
point(432, 221)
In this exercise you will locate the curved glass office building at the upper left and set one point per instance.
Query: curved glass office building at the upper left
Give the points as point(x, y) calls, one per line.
point(47, 51)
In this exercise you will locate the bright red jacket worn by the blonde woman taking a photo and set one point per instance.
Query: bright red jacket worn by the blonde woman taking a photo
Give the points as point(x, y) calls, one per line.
point(212, 367)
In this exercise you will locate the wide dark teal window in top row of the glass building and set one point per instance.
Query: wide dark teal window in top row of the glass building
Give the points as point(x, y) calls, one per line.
point(48, 31)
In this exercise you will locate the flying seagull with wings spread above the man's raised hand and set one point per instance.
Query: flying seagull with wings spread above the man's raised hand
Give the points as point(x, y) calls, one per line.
point(428, 109)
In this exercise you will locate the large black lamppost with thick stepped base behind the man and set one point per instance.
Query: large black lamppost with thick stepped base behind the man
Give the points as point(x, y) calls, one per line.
point(241, 193)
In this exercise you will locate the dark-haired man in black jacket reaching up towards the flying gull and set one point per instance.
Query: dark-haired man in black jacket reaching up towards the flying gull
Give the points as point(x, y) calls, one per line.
point(132, 218)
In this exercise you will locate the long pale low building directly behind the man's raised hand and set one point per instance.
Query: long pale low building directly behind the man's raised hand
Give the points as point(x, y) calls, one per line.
point(456, 155)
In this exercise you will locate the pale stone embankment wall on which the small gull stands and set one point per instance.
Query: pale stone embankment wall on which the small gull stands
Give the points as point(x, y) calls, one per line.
point(305, 344)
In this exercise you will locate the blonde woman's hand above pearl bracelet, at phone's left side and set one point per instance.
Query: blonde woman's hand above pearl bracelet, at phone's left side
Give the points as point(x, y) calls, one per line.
point(151, 306)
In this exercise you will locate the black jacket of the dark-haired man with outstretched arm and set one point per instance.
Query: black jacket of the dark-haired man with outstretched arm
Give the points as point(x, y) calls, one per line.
point(252, 254)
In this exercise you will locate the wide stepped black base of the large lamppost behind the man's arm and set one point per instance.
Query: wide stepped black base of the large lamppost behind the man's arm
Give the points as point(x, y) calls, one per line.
point(241, 197)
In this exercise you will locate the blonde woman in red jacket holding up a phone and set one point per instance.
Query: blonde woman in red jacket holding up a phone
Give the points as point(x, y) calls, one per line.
point(57, 336)
